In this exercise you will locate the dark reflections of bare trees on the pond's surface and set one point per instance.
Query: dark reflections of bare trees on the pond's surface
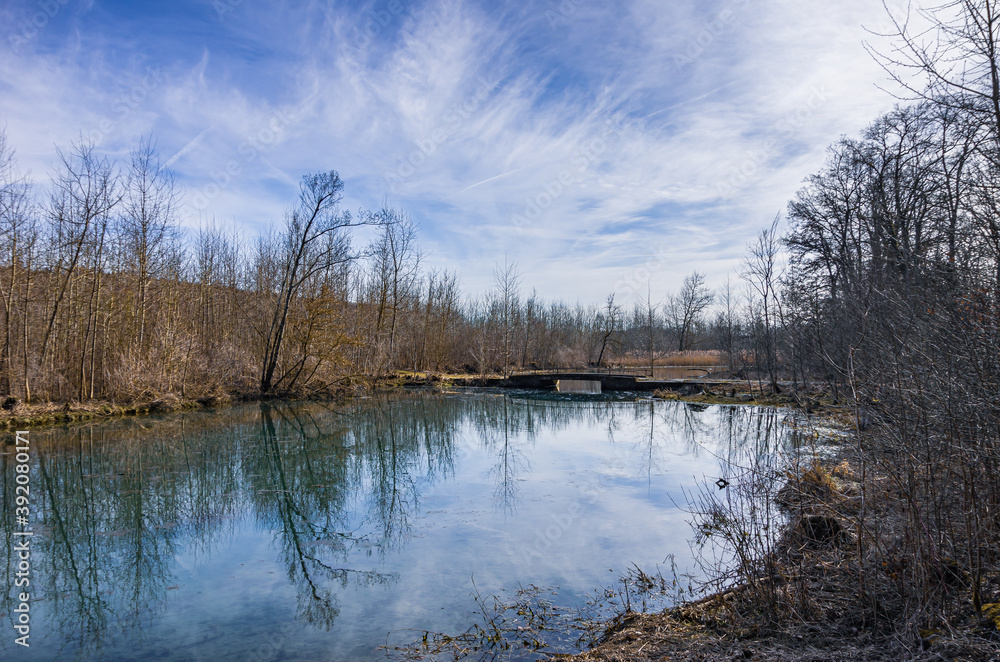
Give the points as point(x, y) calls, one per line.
point(116, 504)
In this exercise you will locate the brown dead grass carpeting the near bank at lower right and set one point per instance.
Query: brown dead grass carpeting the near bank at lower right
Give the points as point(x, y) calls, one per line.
point(820, 618)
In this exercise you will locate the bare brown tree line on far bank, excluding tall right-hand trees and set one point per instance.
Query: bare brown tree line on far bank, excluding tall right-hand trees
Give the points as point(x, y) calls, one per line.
point(106, 297)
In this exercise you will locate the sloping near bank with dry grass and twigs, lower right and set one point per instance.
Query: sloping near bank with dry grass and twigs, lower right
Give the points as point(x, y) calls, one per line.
point(805, 602)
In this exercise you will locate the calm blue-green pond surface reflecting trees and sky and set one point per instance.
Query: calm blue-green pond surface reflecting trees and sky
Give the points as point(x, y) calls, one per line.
point(309, 532)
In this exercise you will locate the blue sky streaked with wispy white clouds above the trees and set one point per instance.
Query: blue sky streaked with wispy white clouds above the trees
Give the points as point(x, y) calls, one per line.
point(600, 145)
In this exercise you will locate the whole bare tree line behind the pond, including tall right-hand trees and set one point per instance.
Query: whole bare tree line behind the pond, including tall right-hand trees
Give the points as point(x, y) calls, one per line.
point(105, 297)
